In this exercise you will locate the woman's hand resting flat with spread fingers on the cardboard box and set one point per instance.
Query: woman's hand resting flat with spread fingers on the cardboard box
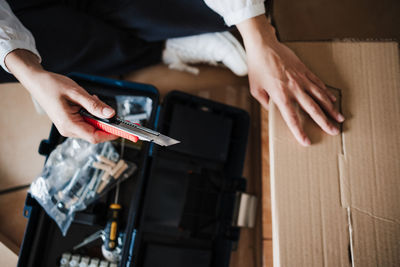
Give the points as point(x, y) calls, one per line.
point(276, 72)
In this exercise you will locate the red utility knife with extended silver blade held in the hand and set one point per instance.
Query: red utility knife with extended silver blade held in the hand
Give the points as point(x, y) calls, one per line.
point(128, 130)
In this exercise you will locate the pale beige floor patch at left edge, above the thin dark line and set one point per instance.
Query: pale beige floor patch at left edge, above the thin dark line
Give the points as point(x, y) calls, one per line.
point(21, 130)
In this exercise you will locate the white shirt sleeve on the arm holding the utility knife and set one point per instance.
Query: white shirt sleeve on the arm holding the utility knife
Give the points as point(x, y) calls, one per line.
point(13, 35)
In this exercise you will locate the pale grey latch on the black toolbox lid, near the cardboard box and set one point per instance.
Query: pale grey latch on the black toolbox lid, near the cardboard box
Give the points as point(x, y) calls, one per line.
point(245, 210)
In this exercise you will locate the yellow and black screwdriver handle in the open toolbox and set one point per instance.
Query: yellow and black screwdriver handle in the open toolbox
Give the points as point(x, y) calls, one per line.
point(111, 230)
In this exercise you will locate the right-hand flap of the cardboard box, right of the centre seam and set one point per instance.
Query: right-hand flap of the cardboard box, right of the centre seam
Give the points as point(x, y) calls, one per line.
point(371, 141)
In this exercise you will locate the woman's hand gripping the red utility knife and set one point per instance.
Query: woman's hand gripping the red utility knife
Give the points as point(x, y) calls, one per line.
point(60, 97)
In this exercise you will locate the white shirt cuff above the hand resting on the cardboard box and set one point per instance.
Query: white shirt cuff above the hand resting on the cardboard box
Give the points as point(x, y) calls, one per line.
point(236, 11)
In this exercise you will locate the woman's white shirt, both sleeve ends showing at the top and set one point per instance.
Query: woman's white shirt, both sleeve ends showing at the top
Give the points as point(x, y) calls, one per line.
point(13, 35)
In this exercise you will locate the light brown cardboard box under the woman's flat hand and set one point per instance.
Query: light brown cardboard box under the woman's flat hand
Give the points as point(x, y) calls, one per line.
point(336, 203)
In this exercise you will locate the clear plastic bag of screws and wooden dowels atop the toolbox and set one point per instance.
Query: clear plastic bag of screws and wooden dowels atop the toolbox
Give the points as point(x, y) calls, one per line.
point(76, 173)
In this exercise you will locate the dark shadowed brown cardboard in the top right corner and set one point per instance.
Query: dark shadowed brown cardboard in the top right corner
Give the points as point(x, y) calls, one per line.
point(326, 20)
